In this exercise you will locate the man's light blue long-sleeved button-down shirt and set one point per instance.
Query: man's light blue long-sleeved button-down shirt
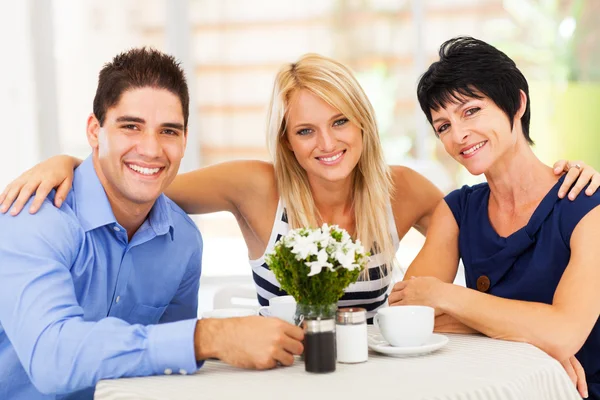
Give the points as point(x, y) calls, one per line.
point(79, 302)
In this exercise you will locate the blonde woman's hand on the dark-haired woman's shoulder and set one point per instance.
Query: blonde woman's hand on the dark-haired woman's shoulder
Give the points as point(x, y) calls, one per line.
point(576, 171)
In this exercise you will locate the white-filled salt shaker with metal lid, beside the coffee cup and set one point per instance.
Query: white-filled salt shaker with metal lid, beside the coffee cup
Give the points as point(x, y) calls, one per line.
point(351, 335)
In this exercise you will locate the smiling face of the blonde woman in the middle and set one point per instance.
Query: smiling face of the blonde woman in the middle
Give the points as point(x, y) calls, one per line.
point(325, 143)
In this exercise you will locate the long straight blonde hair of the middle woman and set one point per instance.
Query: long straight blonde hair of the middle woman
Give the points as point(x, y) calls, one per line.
point(335, 84)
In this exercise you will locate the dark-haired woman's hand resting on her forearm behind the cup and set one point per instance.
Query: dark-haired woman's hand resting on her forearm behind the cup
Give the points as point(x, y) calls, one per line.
point(422, 291)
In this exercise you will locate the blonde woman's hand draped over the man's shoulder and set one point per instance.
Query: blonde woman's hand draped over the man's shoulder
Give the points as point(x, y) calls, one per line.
point(55, 172)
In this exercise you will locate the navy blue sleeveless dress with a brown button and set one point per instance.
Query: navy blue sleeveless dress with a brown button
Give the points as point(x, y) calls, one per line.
point(528, 264)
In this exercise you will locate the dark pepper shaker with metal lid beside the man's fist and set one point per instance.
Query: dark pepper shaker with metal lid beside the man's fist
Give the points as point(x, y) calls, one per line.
point(319, 345)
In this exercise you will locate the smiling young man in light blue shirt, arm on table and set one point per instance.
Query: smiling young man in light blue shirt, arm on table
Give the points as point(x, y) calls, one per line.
point(107, 285)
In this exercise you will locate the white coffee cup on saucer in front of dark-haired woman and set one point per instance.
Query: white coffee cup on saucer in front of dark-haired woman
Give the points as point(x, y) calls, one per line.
point(405, 326)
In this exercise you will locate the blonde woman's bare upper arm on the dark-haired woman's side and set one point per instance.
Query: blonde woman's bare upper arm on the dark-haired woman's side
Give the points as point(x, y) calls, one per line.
point(415, 197)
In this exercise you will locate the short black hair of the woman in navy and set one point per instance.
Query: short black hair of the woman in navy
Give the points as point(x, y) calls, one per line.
point(472, 68)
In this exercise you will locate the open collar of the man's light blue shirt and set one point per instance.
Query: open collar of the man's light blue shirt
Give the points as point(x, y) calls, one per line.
point(94, 210)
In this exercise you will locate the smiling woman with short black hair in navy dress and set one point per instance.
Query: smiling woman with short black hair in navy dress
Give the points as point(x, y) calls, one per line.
point(532, 260)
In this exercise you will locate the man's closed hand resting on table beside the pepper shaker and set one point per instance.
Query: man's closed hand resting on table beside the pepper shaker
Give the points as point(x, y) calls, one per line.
point(248, 342)
